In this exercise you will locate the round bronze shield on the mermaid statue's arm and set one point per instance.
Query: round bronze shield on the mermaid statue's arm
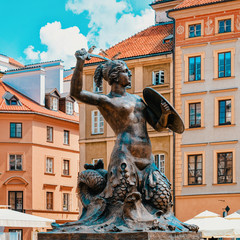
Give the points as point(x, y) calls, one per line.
point(155, 100)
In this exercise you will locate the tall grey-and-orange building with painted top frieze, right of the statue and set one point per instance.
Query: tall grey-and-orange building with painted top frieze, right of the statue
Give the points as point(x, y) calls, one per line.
point(207, 93)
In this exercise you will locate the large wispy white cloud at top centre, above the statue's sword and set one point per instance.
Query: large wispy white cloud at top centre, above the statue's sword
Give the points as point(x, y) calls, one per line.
point(110, 21)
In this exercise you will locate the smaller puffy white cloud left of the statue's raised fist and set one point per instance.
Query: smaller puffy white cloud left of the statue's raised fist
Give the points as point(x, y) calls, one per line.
point(61, 44)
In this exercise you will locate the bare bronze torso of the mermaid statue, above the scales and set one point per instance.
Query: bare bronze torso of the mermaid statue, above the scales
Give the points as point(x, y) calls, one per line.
point(128, 121)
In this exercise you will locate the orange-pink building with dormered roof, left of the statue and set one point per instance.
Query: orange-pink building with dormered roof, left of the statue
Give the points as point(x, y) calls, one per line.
point(39, 149)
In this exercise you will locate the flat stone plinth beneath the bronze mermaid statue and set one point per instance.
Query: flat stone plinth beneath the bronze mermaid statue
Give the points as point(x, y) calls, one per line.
point(121, 236)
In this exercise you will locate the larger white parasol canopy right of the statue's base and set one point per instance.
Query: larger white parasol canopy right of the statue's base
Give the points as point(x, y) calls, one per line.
point(211, 225)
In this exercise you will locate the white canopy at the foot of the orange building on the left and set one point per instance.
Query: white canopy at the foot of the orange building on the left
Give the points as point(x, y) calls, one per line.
point(10, 218)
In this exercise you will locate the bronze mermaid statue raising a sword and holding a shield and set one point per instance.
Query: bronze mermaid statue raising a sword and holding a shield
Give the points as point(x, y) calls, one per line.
point(133, 194)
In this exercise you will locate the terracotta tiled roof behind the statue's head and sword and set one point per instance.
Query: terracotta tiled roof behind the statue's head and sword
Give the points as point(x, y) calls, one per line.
point(146, 42)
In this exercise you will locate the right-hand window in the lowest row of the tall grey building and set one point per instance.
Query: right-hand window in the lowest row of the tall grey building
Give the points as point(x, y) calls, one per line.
point(225, 167)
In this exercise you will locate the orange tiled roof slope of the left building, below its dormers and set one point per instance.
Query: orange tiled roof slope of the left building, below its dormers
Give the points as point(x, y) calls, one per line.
point(28, 105)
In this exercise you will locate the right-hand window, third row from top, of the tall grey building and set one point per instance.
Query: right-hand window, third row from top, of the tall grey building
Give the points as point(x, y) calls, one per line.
point(225, 114)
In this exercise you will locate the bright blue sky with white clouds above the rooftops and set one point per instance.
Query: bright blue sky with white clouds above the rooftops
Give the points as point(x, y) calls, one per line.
point(34, 31)
